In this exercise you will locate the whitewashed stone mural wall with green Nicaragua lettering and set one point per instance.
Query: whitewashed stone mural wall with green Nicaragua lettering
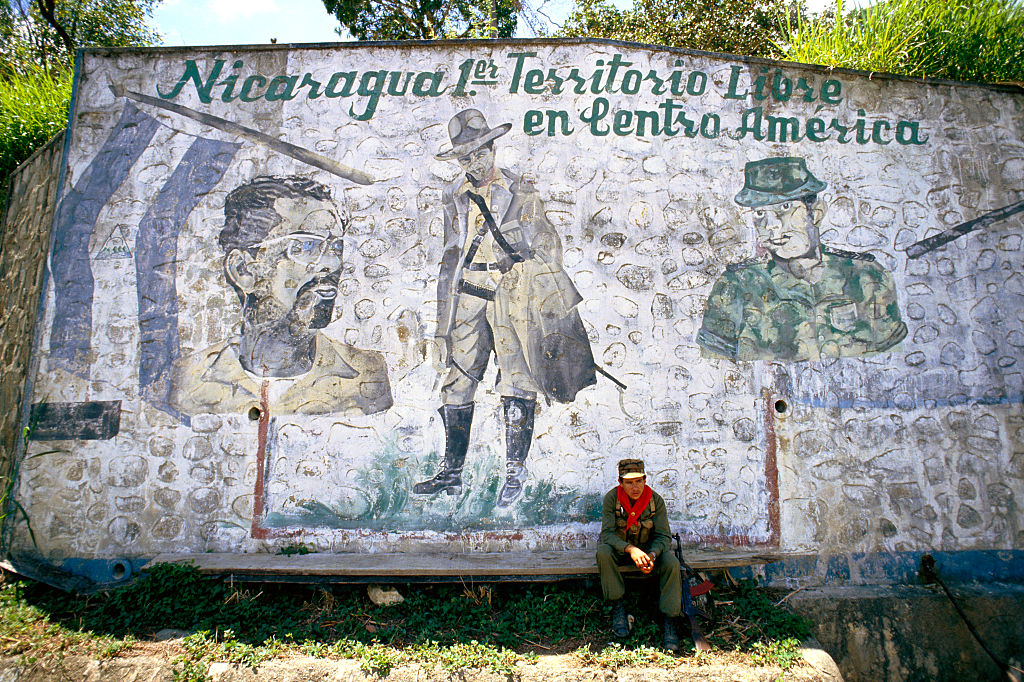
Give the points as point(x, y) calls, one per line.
point(260, 306)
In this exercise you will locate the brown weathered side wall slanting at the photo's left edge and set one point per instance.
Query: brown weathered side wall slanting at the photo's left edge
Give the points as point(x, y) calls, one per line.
point(25, 240)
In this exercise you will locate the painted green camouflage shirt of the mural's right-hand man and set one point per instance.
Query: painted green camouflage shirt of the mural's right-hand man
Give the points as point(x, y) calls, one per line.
point(758, 311)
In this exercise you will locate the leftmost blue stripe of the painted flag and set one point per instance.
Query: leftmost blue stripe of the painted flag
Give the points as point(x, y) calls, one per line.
point(71, 335)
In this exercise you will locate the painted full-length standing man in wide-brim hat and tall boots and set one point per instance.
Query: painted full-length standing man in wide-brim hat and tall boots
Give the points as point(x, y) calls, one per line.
point(501, 290)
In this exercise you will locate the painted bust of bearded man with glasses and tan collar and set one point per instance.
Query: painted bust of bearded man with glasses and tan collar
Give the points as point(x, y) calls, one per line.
point(283, 243)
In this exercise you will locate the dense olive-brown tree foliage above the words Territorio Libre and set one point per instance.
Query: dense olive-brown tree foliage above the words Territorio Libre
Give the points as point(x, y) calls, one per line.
point(740, 27)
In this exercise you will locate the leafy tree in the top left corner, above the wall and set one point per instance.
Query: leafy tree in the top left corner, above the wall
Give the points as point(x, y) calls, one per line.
point(45, 34)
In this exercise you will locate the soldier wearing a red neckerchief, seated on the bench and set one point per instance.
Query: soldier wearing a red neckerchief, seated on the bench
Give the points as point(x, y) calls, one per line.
point(635, 529)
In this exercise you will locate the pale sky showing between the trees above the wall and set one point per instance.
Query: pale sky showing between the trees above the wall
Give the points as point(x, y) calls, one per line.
point(258, 22)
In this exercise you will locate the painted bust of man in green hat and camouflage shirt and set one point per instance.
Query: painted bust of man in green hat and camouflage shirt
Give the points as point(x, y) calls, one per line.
point(805, 302)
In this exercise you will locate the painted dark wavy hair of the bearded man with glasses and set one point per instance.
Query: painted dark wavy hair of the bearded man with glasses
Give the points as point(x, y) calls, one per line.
point(249, 215)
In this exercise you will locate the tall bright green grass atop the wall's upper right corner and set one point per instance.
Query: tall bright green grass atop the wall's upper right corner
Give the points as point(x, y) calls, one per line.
point(973, 40)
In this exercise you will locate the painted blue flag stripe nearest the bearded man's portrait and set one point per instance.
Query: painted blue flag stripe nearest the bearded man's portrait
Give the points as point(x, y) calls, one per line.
point(156, 264)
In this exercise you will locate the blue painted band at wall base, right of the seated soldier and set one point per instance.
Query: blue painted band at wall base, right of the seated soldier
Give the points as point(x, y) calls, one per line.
point(888, 569)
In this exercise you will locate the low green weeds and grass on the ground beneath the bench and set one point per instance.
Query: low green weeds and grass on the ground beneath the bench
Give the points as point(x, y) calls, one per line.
point(497, 628)
